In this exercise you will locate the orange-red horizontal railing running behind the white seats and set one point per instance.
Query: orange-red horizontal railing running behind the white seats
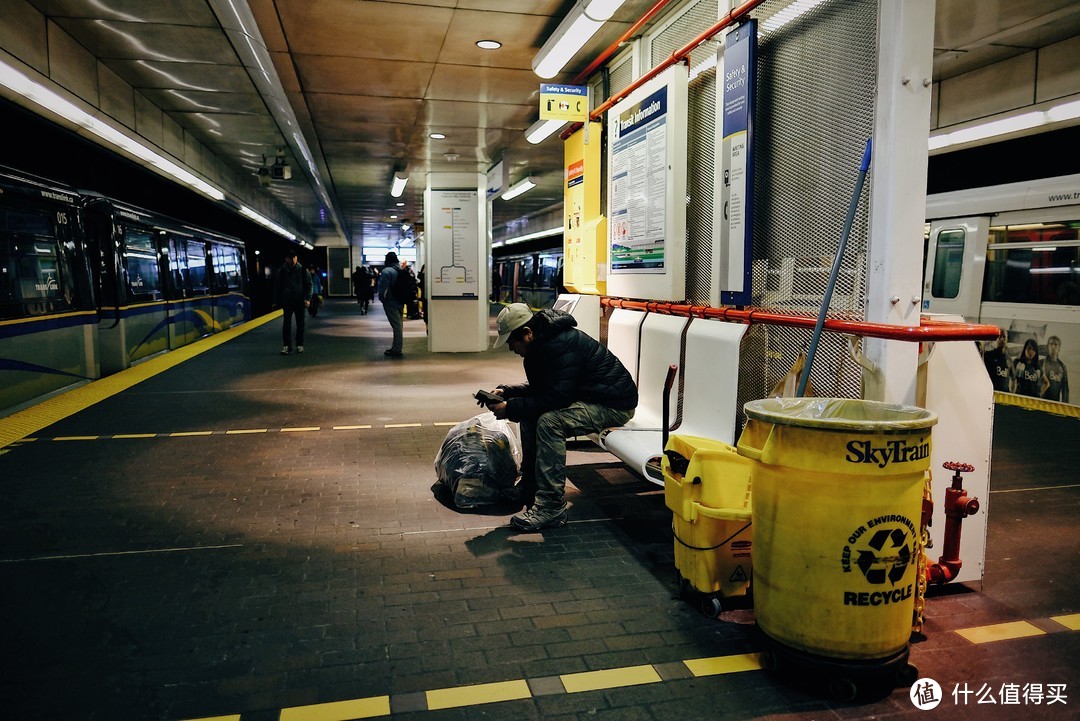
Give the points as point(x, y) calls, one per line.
point(928, 330)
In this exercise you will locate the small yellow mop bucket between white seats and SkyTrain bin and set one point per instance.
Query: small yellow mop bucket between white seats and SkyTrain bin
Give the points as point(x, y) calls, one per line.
point(707, 486)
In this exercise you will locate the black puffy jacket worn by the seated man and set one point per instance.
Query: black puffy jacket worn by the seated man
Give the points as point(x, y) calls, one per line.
point(565, 365)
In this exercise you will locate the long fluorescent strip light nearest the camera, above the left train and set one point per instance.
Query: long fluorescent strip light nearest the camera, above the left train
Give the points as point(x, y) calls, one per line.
point(38, 94)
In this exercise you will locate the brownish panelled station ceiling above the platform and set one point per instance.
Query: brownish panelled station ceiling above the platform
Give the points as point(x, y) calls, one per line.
point(368, 83)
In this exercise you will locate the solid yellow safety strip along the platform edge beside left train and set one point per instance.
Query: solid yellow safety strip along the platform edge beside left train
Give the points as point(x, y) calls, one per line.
point(31, 420)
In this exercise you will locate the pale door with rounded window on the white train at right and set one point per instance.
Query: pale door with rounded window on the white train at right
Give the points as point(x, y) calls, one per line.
point(956, 260)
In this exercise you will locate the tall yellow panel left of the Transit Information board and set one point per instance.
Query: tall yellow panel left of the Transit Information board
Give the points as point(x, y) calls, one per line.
point(585, 244)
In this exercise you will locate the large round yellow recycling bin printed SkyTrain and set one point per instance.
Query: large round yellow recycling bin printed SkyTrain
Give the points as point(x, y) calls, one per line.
point(838, 501)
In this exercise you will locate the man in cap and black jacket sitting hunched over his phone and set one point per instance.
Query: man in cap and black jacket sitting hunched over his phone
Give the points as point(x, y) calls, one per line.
point(574, 387)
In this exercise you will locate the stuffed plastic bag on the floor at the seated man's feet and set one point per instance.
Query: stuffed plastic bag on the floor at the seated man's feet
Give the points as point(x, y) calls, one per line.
point(477, 466)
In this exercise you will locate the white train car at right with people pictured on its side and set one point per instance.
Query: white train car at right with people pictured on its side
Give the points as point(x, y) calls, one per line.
point(1010, 256)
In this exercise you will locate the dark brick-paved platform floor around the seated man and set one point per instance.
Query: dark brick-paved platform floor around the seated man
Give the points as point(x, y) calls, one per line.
point(295, 556)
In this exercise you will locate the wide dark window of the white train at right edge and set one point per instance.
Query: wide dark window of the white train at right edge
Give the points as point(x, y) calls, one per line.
point(1036, 264)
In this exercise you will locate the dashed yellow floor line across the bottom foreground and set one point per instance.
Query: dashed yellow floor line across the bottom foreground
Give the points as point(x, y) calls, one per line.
point(599, 681)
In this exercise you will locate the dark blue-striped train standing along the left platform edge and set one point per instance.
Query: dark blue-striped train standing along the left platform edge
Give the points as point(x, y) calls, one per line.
point(90, 285)
